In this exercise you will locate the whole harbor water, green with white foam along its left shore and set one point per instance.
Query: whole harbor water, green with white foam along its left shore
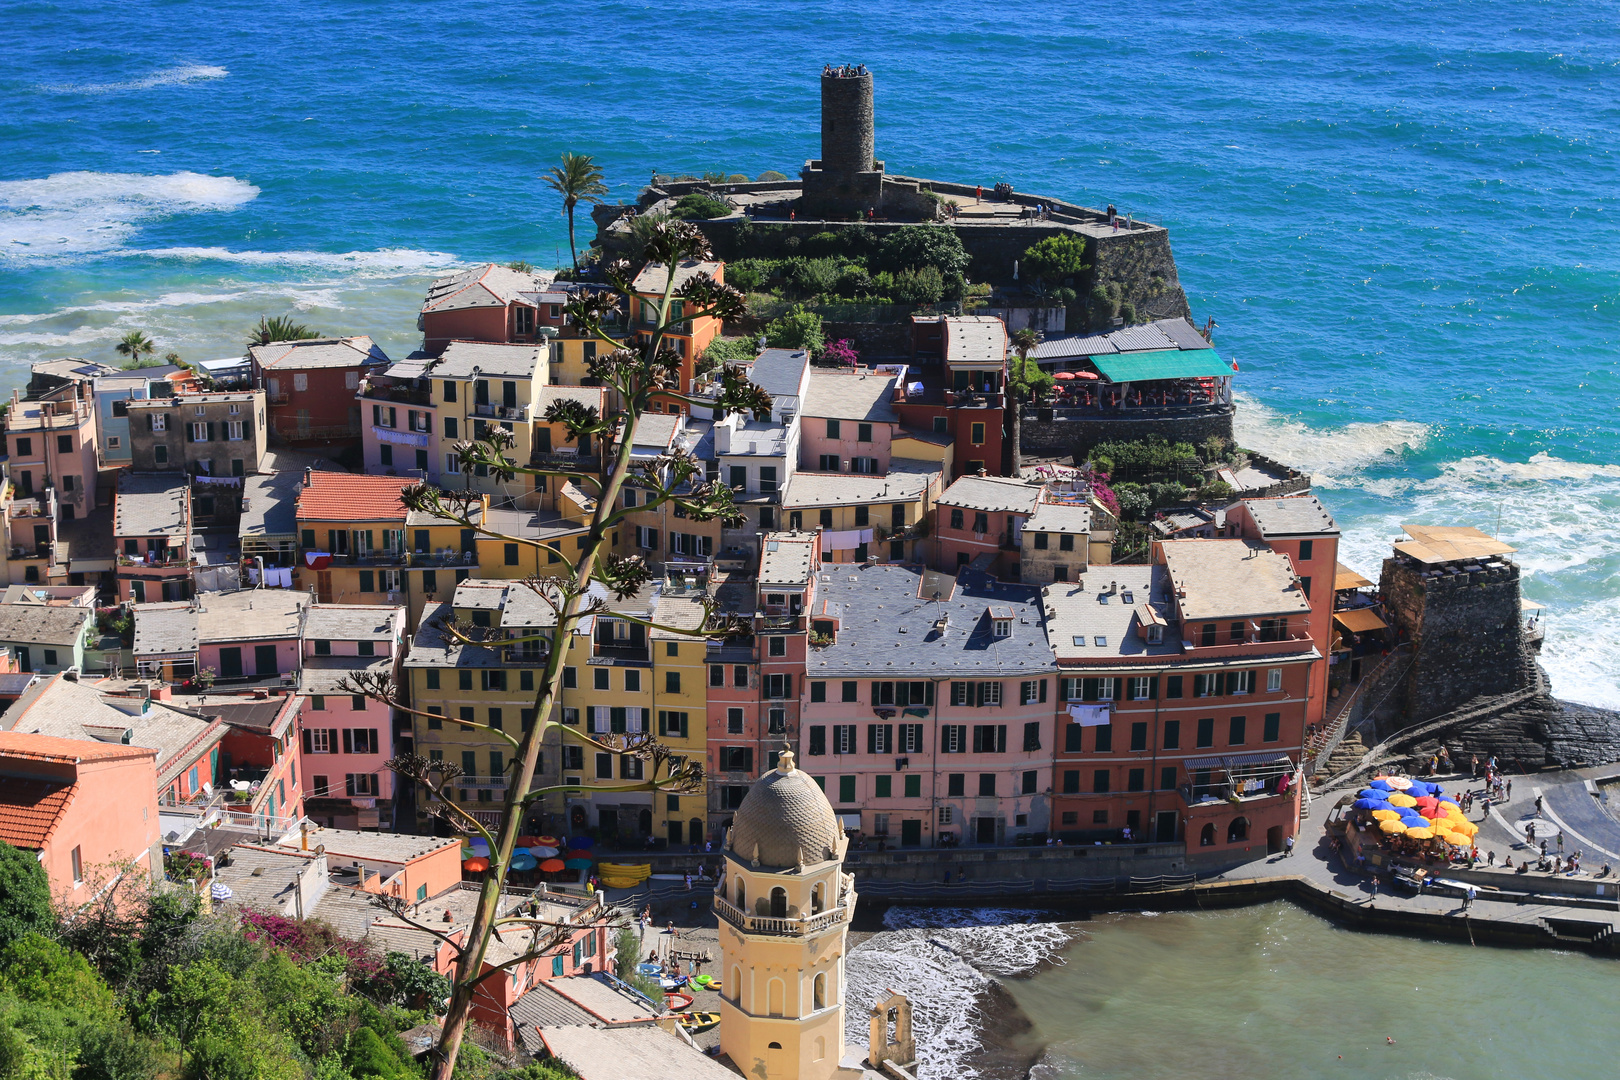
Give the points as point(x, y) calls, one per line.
point(1264, 993)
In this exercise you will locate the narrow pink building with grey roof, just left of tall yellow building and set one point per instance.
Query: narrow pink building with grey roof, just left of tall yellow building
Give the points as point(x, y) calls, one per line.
point(346, 741)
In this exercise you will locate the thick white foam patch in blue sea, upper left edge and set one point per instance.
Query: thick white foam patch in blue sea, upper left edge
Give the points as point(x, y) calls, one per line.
point(74, 215)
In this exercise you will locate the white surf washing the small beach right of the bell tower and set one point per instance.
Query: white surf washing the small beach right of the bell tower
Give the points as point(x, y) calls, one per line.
point(939, 958)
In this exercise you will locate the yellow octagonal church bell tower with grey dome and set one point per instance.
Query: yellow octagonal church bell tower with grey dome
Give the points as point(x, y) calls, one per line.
point(783, 908)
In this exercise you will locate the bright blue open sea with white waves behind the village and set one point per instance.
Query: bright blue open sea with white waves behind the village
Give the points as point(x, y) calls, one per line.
point(1397, 215)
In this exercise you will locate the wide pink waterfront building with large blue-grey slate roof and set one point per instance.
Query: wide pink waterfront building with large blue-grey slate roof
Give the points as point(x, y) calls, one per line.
point(929, 718)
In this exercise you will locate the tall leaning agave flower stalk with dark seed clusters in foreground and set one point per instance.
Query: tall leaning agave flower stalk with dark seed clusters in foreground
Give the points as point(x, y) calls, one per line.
point(642, 378)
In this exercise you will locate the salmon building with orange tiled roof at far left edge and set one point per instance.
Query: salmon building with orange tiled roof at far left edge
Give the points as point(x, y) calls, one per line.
point(85, 807)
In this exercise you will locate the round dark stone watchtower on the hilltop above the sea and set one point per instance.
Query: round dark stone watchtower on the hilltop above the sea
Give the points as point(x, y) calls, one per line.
point(846, 179)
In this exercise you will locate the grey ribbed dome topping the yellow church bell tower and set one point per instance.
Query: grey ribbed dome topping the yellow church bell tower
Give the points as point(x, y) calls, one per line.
point(787, 822)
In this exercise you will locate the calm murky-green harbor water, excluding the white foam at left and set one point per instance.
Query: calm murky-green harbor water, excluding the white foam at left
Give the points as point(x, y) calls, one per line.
point(1274, 992)
